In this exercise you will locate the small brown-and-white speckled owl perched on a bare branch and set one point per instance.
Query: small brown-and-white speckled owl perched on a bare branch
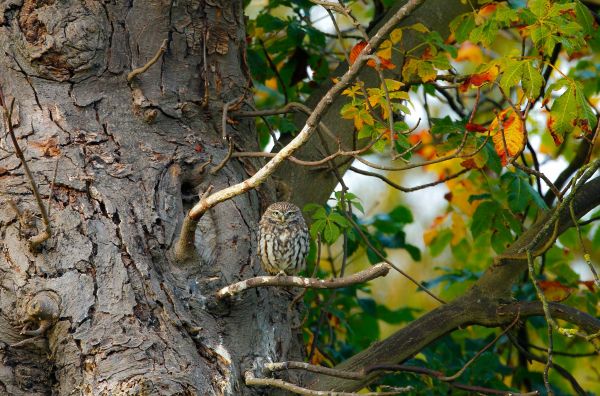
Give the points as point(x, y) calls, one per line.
point(283, 240)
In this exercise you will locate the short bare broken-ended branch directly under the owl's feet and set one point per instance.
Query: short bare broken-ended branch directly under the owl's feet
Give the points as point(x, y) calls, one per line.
point(376, 271)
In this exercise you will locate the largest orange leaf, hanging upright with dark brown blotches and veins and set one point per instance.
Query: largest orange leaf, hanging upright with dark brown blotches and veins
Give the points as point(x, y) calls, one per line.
point(509, 140)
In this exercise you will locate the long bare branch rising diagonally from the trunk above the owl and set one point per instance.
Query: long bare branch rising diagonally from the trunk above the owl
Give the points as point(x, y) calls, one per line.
point(311, 124)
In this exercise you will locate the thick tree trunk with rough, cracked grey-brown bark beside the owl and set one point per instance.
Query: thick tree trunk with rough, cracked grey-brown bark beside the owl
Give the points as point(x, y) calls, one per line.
point(132, 158)
